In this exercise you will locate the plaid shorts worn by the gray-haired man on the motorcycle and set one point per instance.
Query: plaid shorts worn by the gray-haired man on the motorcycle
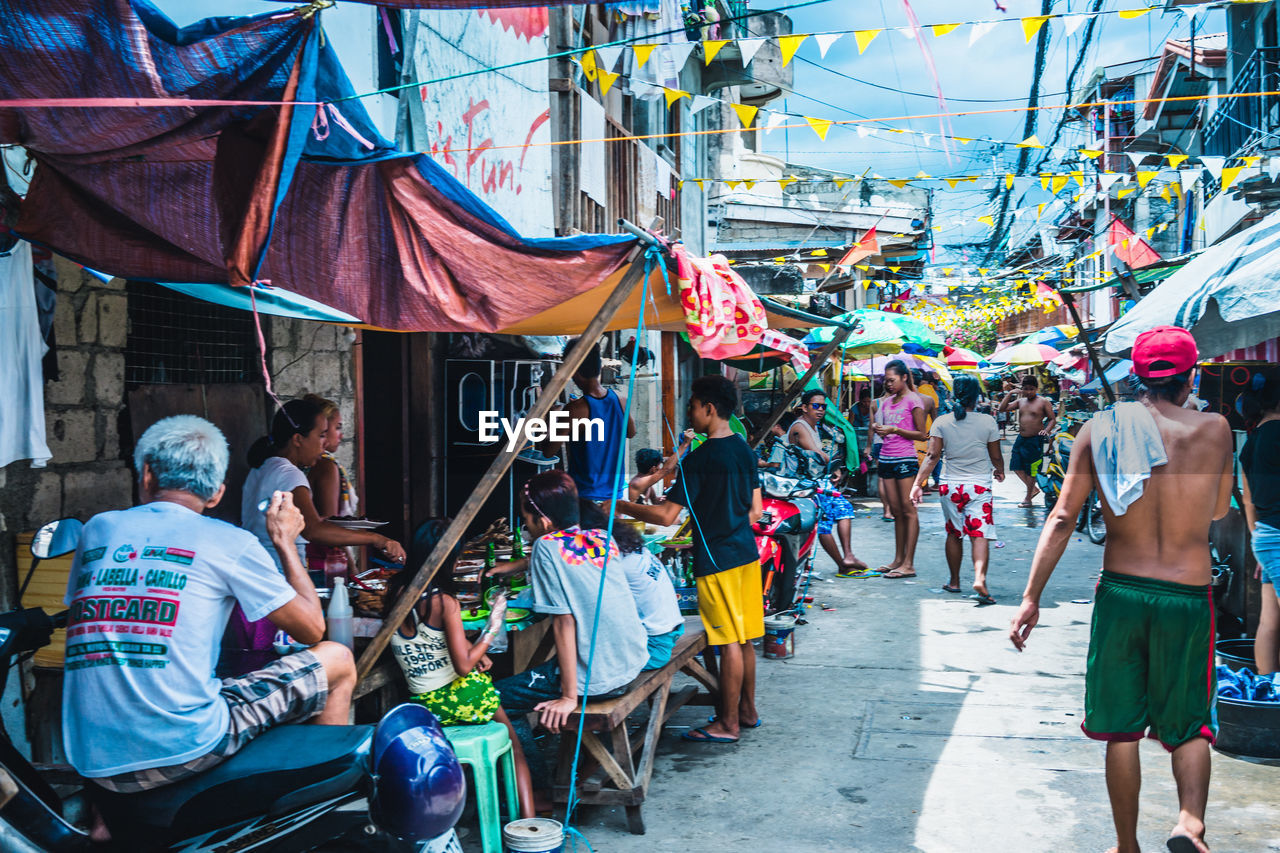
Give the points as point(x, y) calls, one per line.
point(290, 690)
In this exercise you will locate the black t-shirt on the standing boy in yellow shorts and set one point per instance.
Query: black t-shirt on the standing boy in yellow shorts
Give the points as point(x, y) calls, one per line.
point(716, 483)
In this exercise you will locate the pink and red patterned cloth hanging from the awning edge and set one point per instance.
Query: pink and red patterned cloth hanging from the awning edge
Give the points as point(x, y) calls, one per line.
point(724, 316)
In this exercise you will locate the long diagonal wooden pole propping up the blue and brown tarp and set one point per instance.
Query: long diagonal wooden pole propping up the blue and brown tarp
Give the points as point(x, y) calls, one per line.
point(502, 464)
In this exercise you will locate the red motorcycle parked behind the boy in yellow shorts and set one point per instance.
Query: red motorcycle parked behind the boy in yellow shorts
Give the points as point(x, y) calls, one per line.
point(785, 539)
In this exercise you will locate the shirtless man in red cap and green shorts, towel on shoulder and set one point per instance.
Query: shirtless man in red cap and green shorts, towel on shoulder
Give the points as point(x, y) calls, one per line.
point(1151, 646)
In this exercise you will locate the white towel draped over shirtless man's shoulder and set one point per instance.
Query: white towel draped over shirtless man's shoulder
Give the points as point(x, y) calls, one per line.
point(1127, 445)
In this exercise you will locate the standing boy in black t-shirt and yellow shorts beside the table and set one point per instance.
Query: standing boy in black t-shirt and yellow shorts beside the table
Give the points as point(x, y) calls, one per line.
point(719, 483)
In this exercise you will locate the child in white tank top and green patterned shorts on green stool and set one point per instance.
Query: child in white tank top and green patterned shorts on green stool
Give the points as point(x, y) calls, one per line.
point(447, 674)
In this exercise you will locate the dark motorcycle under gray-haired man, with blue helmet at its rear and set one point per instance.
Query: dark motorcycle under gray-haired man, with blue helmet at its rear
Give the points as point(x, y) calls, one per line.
point(396, 787)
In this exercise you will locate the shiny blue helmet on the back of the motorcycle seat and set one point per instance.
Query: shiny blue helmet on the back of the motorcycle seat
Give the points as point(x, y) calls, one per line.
point(419, 790)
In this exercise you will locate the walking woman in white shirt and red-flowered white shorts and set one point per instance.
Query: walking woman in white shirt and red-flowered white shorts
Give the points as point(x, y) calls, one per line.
point(972, 445)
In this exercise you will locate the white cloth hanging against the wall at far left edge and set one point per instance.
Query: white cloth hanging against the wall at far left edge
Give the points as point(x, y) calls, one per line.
point(22, 387)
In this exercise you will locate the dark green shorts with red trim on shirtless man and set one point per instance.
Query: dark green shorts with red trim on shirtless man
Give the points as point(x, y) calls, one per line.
point(1151, 663)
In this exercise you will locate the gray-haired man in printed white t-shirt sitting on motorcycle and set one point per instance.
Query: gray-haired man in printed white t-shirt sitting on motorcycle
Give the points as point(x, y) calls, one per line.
point(150, 594)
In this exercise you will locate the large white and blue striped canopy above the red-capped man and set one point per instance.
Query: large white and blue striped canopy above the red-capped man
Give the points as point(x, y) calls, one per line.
point(1228, 297)
